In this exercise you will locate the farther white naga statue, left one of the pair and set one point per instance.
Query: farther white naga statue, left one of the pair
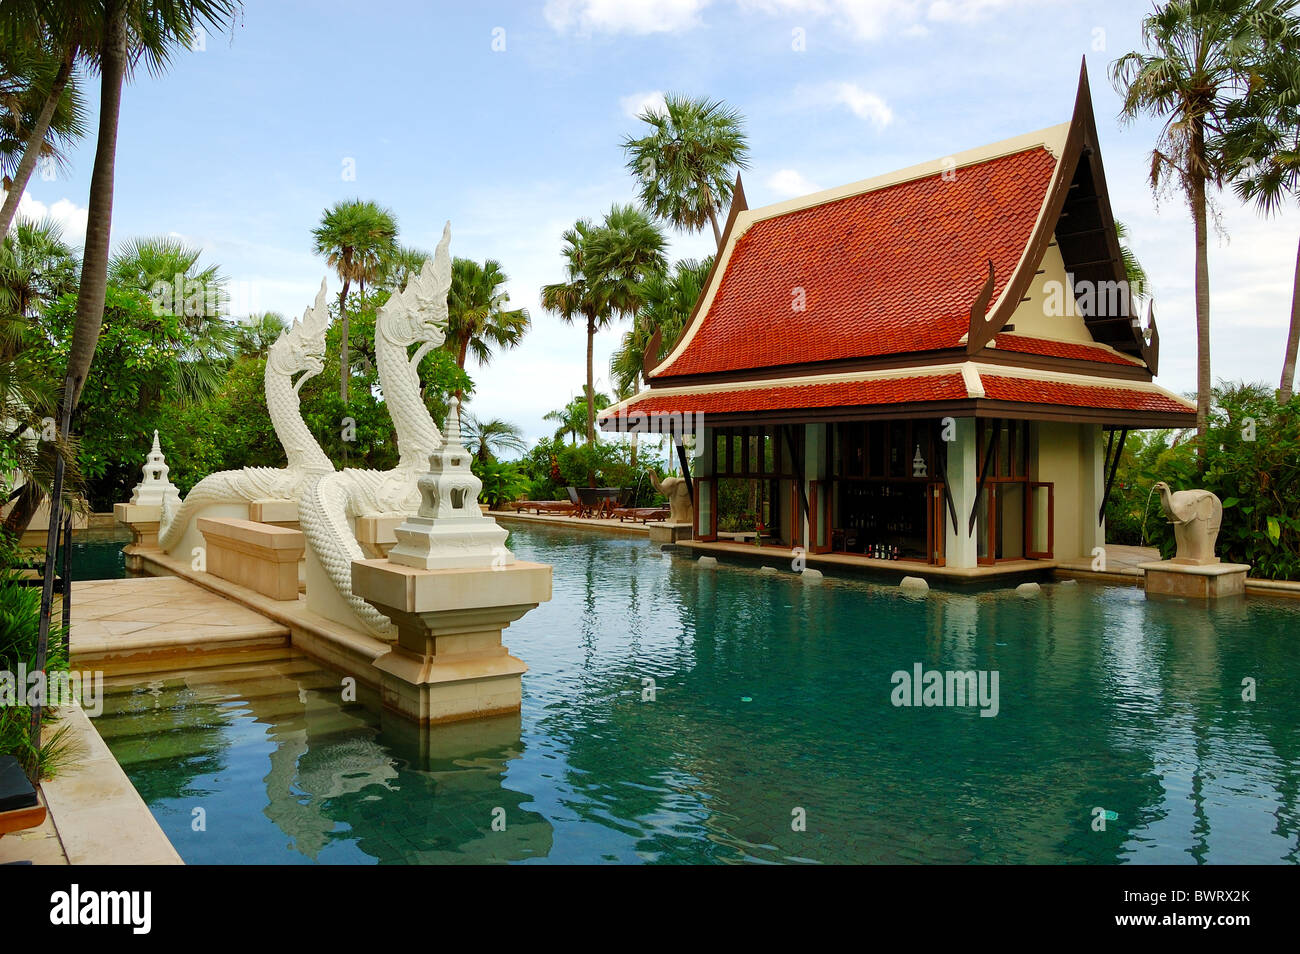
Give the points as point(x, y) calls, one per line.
point(300, 350)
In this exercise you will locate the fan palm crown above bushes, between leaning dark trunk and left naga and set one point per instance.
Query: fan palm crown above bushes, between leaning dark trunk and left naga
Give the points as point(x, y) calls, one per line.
point(168, 271)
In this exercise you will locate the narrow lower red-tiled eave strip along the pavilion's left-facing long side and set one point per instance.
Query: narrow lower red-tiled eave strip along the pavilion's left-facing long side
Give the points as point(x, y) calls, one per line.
point(792, 397)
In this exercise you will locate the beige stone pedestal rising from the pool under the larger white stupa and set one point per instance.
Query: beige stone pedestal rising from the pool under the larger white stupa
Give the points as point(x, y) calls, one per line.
point(449, 664)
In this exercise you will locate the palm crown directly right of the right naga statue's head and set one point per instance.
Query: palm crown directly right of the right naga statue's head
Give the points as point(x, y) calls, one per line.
point(478, 319)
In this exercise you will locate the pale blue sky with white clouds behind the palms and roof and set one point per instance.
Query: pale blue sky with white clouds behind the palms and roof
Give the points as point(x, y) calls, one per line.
point(241, 146)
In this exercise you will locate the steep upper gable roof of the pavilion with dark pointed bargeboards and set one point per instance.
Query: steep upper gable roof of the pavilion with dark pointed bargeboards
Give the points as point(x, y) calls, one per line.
point(934, 258)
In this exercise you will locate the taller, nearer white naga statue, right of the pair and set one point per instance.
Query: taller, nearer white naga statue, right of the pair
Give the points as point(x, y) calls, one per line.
point(331, 504)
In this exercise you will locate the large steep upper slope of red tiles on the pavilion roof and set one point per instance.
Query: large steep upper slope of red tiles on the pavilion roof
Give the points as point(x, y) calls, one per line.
point(883, 272)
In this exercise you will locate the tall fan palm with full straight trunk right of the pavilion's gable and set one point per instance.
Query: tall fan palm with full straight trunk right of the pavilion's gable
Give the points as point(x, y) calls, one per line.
point(1201, 55)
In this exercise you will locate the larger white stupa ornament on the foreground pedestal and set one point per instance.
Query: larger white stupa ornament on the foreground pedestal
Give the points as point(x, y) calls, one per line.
point(450, 532)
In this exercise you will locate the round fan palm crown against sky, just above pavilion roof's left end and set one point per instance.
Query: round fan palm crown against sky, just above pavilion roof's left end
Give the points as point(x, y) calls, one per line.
point(687, 164)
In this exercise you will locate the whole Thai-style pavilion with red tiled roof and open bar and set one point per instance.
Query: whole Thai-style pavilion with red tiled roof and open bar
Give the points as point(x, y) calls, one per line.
point(937, 366)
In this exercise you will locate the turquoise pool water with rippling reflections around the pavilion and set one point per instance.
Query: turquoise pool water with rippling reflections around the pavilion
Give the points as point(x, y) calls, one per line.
point(772, 703)
